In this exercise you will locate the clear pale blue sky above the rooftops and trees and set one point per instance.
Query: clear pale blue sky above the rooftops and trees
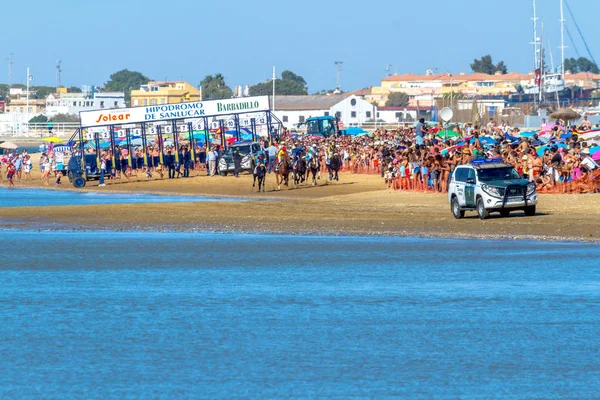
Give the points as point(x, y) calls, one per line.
point(243, 39)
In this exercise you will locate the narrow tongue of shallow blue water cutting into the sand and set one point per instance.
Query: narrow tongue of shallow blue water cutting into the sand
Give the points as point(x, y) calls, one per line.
point(18, 197)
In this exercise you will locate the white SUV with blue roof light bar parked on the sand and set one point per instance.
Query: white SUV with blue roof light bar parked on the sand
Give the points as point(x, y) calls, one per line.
point(490, 186)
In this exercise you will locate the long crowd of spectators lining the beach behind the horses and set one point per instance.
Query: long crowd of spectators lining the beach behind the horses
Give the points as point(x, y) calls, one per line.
point(419, 157)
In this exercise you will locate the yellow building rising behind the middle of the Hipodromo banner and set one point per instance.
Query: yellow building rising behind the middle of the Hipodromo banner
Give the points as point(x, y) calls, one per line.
point(157, 93)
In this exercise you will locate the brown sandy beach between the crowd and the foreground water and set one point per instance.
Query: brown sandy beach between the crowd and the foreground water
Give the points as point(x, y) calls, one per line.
point(356, 205)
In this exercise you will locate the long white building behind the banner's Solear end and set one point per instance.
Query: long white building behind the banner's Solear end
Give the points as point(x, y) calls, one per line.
point(73, 103)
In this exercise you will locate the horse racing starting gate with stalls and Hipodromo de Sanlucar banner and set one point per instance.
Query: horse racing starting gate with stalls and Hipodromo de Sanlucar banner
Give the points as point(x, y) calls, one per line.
point(125, 129)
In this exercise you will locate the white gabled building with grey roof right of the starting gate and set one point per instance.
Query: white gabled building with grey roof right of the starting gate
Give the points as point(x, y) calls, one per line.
point(350, 109)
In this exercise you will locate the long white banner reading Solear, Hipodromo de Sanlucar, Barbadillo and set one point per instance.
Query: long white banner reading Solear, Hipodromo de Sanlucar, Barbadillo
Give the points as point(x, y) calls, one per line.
point(122, 116)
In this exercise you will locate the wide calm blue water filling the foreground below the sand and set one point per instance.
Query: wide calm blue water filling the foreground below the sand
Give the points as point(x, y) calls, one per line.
point(130, 315)
